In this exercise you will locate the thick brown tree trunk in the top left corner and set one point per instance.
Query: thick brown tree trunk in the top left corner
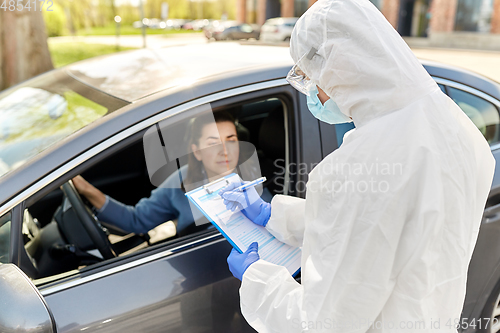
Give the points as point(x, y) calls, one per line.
point(24, 52)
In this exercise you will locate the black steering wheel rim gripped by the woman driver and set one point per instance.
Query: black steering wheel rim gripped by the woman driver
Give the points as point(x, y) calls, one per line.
point(88, 221)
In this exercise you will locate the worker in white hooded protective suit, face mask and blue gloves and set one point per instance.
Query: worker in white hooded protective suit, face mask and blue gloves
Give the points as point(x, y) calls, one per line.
point(390, 218)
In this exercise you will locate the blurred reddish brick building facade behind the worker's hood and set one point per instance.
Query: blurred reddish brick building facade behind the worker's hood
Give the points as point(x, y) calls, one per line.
point(417, 18)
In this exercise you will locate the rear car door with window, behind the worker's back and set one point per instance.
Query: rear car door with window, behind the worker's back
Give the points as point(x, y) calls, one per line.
point(483, 281)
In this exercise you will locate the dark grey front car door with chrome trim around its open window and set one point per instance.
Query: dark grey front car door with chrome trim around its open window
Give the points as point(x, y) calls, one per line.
point(182, 284)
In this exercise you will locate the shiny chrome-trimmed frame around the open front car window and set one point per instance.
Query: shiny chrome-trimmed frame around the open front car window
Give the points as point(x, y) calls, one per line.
point(111, 145)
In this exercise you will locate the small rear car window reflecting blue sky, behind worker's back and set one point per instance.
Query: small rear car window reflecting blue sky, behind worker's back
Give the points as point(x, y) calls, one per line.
point(482, 113)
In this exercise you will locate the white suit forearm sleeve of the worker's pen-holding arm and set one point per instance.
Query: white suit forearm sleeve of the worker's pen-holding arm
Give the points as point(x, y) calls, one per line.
point(287, 219)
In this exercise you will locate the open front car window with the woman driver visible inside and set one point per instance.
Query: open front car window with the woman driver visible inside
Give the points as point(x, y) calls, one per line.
point(146, 181)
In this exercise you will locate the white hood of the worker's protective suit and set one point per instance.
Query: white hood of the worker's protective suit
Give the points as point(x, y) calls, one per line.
point(351, 51)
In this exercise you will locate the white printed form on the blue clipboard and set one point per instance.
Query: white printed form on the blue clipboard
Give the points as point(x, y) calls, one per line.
point(239, 230)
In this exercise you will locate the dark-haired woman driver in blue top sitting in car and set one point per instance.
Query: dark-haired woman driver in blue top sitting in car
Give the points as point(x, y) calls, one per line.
point(215, 154)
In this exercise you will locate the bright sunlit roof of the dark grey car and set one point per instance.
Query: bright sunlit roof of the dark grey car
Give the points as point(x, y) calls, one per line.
point(133, 75)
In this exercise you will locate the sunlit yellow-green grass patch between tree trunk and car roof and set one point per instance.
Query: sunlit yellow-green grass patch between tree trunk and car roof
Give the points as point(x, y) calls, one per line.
point(67, 53)
